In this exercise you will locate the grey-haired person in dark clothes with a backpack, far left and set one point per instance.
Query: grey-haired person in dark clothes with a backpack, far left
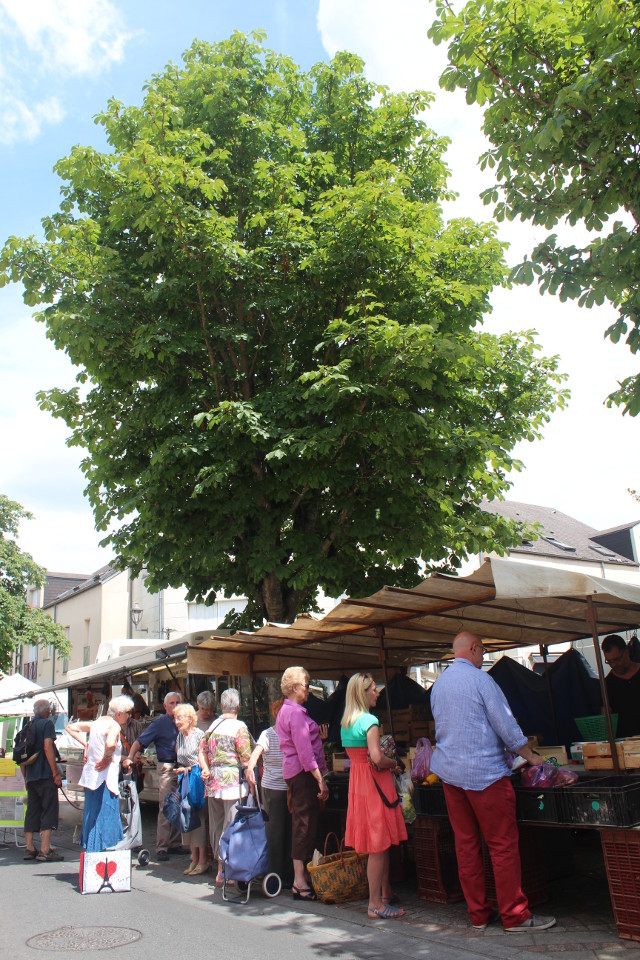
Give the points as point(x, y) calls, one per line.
point(42, 779)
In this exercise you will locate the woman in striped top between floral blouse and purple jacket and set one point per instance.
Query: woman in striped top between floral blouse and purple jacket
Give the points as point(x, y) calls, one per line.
point(274, 798)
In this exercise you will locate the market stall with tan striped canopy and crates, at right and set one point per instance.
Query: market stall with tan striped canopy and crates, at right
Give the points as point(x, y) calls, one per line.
point(507, 604)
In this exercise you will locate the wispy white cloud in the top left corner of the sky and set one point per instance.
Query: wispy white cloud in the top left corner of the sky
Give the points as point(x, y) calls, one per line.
point(75, 36)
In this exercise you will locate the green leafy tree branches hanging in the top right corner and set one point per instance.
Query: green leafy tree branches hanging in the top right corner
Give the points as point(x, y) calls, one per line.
point(559, 81)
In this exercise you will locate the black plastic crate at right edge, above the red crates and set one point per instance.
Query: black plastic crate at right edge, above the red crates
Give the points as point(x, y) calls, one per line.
point(605, 801)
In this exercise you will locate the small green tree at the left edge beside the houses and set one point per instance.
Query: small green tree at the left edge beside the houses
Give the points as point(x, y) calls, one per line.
point(20, 623)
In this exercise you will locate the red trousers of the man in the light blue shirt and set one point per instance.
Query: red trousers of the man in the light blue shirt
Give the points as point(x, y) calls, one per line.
point(493, 812)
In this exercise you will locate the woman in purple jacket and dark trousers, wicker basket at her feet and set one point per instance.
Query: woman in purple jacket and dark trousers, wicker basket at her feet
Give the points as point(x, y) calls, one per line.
point(303, 764)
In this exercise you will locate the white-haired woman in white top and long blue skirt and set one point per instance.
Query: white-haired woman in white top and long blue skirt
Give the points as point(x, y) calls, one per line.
point(101, 824)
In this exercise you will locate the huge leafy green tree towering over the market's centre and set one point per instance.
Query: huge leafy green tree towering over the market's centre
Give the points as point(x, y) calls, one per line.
point(284, 383)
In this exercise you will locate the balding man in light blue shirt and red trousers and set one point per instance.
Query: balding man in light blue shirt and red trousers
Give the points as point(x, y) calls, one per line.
point(474, 725)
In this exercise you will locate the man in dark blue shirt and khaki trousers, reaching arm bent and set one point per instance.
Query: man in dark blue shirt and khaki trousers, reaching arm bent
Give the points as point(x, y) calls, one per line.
point(163, 733)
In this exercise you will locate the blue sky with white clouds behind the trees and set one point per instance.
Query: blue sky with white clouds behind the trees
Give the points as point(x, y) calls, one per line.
point(61, 60)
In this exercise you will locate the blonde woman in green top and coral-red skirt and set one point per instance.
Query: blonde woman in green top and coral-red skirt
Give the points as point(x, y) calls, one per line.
point(373, 825)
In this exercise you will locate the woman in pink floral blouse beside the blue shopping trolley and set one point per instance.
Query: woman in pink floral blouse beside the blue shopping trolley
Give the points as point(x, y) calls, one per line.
point(224, 751)
